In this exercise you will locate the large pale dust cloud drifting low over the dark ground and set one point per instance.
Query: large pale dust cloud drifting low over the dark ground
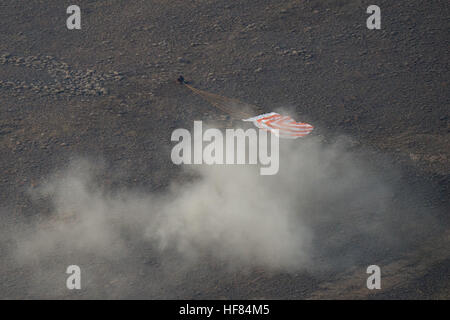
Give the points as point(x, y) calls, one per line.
point(326, 208)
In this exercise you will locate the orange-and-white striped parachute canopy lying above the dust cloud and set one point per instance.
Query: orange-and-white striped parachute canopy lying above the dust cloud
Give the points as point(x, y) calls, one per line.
point(286, 126)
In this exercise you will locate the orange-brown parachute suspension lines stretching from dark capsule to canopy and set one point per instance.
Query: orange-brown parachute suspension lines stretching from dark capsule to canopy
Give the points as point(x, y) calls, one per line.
point(223, 103)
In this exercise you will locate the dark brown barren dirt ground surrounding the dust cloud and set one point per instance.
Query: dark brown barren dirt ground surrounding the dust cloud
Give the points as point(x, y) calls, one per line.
point(108, 91)
